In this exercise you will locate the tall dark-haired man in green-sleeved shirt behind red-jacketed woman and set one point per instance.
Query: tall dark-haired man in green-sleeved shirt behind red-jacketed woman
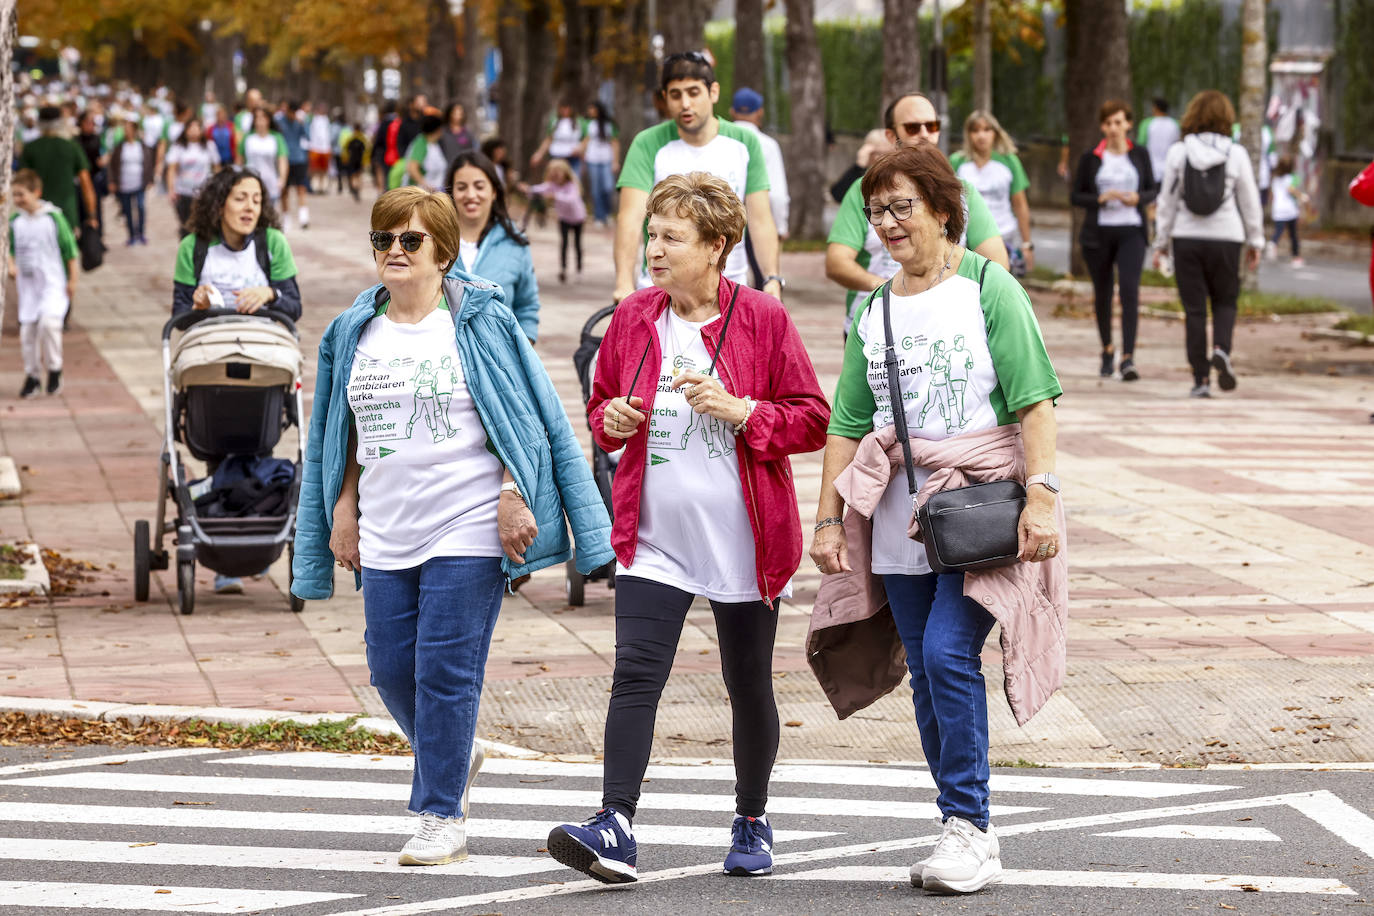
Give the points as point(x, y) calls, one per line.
point(695, 141)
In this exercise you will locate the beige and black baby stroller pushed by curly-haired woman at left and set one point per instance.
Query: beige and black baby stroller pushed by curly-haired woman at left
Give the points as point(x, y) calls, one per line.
point(232, 387)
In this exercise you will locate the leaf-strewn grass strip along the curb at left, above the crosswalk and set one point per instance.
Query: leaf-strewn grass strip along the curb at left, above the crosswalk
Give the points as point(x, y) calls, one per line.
point(285, 735)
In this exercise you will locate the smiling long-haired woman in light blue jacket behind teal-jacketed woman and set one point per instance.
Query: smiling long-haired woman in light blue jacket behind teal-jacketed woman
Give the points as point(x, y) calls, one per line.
point(493, 248)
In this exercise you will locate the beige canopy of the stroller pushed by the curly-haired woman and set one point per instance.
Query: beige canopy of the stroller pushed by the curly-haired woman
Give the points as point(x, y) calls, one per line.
point(240, 351)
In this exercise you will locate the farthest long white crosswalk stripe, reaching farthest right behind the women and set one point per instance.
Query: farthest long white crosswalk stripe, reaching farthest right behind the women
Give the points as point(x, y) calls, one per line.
point(824, 775)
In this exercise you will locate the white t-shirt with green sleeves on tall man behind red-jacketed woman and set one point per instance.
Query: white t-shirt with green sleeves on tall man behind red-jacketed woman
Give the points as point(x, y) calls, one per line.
point(734, 156)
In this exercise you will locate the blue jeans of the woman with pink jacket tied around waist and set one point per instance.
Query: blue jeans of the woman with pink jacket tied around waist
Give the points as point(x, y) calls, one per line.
point(945, 632)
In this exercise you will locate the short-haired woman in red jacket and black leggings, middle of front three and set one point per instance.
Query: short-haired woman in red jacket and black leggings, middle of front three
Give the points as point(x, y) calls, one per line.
point(710, 391)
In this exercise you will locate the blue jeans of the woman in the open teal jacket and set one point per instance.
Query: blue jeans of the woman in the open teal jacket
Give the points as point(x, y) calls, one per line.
point(429, 630)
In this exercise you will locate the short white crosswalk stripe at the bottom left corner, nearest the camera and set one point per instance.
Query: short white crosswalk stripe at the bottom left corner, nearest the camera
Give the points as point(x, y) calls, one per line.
point(27, 896)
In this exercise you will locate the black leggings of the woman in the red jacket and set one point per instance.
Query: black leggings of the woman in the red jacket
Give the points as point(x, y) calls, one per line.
point(649, 621)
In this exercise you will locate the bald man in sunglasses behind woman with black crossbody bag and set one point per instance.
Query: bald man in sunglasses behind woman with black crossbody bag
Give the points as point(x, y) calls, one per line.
point(855, 257)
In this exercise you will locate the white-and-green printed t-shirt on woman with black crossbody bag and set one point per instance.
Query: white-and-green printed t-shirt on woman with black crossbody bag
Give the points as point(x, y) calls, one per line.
point(968, 363)
